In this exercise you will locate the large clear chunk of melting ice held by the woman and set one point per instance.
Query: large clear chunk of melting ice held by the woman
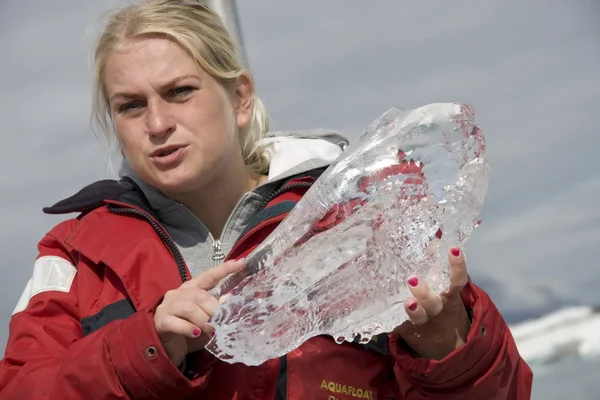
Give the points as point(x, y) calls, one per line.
point(389, 207)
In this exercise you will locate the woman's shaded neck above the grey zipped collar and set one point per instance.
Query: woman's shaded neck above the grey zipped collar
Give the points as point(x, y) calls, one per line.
point(214, 203)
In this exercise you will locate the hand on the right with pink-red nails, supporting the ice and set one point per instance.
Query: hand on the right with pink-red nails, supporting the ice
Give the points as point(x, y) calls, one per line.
point(438, 324)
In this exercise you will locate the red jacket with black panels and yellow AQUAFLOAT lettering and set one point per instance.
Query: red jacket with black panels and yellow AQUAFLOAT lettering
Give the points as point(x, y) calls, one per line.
point(85, 328)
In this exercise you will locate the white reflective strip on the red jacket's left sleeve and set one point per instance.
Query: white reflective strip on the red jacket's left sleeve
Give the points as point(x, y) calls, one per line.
point(50, 274)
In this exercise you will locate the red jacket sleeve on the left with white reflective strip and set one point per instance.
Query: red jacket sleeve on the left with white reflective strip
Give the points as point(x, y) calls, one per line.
point(47, 357)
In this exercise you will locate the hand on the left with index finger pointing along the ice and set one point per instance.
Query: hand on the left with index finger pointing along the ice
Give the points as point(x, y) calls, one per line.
point(181, 318)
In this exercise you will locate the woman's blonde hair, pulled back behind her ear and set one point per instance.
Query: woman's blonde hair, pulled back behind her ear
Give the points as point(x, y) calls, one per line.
point(201, 33)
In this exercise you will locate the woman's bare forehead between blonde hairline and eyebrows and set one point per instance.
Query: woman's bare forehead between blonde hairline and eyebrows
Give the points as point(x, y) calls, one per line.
point(148, 61)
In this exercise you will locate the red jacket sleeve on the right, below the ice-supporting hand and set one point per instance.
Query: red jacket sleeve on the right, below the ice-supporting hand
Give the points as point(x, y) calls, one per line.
point(488, 366)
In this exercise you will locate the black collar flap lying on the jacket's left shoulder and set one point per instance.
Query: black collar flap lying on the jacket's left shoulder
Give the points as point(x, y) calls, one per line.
point(93, 196)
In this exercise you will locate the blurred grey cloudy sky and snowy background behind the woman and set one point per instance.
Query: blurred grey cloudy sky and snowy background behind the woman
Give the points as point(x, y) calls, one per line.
point(530, 69)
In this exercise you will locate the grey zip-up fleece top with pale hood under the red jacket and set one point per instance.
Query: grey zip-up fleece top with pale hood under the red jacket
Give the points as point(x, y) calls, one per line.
point(290, 154)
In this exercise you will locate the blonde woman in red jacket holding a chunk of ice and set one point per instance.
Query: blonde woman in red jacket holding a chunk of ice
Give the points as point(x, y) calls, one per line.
point(118, 303)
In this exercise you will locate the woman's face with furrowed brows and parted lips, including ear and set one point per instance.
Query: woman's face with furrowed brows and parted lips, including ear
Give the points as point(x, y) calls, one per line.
point(176, 126)
